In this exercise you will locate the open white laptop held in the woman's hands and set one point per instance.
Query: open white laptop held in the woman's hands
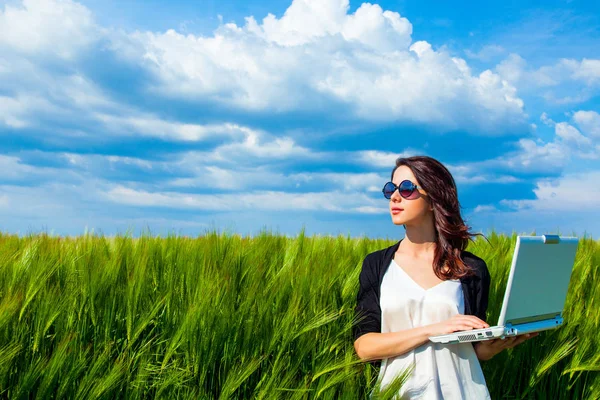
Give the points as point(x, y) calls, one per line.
point(536, 290)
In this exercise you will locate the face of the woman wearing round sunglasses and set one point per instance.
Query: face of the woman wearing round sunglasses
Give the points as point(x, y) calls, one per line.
point(415, 209)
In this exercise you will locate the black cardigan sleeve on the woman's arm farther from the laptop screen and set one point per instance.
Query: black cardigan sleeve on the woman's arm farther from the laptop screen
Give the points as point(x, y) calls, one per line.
point(367, 311)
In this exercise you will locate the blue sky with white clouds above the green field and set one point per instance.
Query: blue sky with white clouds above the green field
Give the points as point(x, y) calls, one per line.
point(185, 116)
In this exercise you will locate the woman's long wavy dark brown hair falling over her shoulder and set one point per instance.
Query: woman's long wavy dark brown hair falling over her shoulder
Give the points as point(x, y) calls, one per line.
point(452, 234)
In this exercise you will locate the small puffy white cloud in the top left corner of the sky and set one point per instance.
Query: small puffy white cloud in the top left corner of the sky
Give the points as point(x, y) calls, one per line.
point(59, 28)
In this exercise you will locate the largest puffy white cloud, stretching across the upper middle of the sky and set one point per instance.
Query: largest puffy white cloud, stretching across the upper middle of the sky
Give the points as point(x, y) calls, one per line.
point(364, 60)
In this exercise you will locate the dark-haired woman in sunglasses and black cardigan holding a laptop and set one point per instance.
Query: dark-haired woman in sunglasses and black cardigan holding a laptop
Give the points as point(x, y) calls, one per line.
point(424, 285)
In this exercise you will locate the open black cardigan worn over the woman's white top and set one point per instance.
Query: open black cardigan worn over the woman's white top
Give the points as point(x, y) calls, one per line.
point(368, 311)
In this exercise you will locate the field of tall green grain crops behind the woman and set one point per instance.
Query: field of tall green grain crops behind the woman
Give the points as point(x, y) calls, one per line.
point(223, 316)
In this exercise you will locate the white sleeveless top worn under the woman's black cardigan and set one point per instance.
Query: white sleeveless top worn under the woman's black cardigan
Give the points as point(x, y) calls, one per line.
point(441, 371)
